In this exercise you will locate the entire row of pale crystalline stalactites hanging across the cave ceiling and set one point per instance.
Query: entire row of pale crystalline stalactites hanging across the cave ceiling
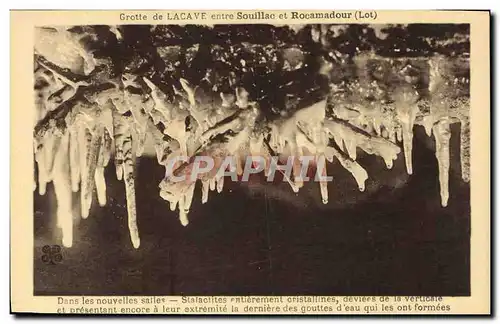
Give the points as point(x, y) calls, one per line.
point(74, 157)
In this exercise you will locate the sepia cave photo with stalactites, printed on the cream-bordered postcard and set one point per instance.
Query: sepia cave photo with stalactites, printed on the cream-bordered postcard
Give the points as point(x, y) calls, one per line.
point(246, 159)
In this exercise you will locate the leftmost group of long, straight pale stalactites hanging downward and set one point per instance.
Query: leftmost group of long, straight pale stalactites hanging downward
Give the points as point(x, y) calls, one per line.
point(74, 159)
